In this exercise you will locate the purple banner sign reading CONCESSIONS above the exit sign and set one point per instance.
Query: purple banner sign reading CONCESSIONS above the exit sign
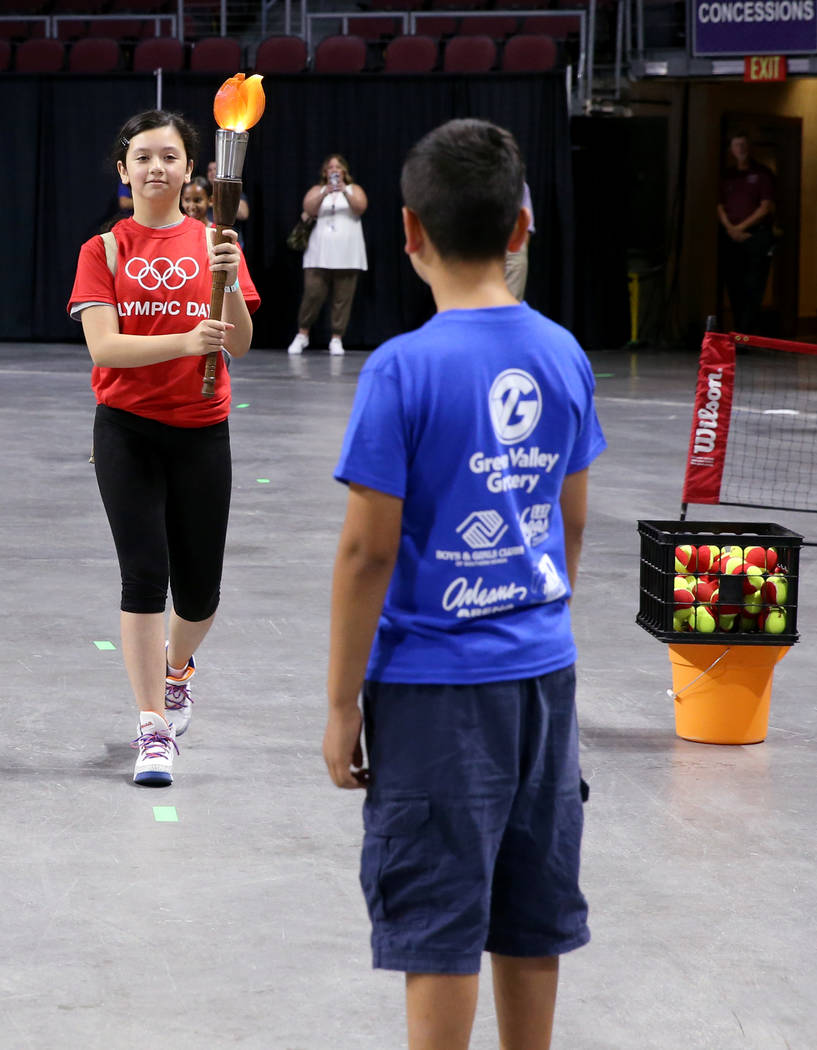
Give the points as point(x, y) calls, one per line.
point(755, 28)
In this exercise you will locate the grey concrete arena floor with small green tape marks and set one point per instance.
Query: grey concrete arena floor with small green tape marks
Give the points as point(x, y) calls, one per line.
point(242, 923)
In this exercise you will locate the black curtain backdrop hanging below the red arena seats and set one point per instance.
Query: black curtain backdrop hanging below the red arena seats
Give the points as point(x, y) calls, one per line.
point(59, 186)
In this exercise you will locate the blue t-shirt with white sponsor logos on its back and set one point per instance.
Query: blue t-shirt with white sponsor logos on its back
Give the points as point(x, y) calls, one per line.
point(474, 421)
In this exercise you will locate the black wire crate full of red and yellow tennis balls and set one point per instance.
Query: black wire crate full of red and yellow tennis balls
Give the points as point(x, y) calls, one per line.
point(730, 607)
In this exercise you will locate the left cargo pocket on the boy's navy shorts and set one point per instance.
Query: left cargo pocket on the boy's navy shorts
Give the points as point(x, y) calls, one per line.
point(396, 862)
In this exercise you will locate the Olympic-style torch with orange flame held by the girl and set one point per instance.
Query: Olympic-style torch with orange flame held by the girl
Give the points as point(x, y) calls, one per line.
point(239, 107)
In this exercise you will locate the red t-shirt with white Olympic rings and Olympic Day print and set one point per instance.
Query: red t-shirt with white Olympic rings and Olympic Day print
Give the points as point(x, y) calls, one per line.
point(162, 286)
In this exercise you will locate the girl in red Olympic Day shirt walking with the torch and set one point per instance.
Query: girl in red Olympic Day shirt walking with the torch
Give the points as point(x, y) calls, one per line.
point(162, 451)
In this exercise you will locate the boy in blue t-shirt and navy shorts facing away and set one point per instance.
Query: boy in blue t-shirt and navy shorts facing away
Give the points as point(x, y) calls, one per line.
point(467, 459)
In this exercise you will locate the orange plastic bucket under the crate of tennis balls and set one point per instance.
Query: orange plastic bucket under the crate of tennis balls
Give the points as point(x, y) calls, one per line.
point(723, 694)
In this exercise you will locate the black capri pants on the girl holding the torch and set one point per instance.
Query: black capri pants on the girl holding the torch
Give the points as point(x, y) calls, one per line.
point(166, 492)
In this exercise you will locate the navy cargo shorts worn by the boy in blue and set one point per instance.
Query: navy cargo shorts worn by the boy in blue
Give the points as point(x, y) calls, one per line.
point(473, 823)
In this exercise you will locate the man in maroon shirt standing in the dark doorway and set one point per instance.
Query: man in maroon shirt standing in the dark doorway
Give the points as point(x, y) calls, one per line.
point(745, 212)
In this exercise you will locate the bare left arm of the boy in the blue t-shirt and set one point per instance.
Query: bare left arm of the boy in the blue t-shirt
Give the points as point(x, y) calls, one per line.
point(364, 565)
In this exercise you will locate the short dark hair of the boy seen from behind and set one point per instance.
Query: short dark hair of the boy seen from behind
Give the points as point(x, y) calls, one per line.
point(465, 183)
